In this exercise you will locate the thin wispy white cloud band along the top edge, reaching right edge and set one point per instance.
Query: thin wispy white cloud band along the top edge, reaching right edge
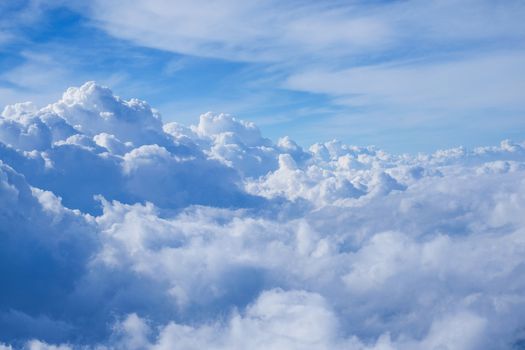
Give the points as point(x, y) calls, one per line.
point(276, 31)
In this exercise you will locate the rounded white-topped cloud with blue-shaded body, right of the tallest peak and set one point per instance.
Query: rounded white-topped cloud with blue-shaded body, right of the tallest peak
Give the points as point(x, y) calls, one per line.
point(154, 174)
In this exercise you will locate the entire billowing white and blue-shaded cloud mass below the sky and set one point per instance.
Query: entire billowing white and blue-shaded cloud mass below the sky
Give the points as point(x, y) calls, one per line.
point(120, 232)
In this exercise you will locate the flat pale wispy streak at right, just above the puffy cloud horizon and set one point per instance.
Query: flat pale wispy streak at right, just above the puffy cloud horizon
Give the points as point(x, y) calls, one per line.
point(485, 82)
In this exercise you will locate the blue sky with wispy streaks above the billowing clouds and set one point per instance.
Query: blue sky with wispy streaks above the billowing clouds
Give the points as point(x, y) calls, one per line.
point(406, 76)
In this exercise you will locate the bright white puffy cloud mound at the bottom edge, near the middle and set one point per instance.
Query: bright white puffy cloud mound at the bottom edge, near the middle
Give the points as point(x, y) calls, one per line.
point(276, 320)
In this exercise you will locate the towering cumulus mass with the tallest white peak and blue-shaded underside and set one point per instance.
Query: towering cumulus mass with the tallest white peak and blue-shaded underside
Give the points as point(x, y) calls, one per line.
point(79, 133)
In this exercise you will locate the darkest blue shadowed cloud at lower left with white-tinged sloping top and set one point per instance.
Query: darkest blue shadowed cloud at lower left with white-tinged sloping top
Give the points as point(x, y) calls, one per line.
point(44, 249)
